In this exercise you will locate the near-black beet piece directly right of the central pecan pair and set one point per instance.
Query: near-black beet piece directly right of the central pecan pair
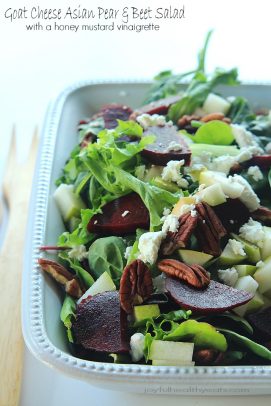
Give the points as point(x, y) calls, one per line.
point(232, 214)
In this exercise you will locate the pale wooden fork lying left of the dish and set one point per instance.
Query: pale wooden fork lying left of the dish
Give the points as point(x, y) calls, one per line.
point(17, 184)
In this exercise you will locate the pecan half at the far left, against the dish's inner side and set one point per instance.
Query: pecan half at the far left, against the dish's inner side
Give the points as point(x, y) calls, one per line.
point(62, 276)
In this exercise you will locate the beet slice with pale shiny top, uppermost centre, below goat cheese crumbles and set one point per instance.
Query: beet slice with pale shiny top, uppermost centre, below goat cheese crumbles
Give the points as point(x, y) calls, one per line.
point(158, 153)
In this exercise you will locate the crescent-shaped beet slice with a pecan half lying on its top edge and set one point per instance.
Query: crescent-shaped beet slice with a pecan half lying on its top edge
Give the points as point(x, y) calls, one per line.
point(216, 298)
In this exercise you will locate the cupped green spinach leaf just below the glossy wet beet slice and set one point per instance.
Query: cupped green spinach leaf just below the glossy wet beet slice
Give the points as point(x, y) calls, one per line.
point(107, 255)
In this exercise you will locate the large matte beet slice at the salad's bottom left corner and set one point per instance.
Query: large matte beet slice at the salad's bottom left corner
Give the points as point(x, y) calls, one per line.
point(101, 324)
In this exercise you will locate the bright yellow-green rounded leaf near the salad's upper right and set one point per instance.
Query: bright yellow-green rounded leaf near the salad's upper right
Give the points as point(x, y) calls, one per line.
point(214, 132)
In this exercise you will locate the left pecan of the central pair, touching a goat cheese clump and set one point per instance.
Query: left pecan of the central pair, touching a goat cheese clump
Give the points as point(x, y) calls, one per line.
point(180, 238)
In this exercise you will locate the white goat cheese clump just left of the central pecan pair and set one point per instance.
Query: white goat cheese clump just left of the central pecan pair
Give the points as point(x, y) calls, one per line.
point(148, 246)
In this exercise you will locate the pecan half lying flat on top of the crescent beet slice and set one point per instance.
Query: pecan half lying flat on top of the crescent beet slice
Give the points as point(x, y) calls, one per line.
point(194, 275)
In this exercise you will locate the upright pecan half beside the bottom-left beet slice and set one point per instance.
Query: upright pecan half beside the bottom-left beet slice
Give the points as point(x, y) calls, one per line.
point(135, 285)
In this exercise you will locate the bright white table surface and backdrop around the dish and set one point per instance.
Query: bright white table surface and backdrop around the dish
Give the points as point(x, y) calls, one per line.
point(35, 66)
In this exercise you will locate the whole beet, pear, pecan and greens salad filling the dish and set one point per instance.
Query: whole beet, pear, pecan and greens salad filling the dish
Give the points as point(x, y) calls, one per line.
point(166, 257)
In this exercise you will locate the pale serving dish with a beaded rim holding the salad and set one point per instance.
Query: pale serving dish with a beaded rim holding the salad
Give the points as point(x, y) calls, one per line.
point(42, 328)
